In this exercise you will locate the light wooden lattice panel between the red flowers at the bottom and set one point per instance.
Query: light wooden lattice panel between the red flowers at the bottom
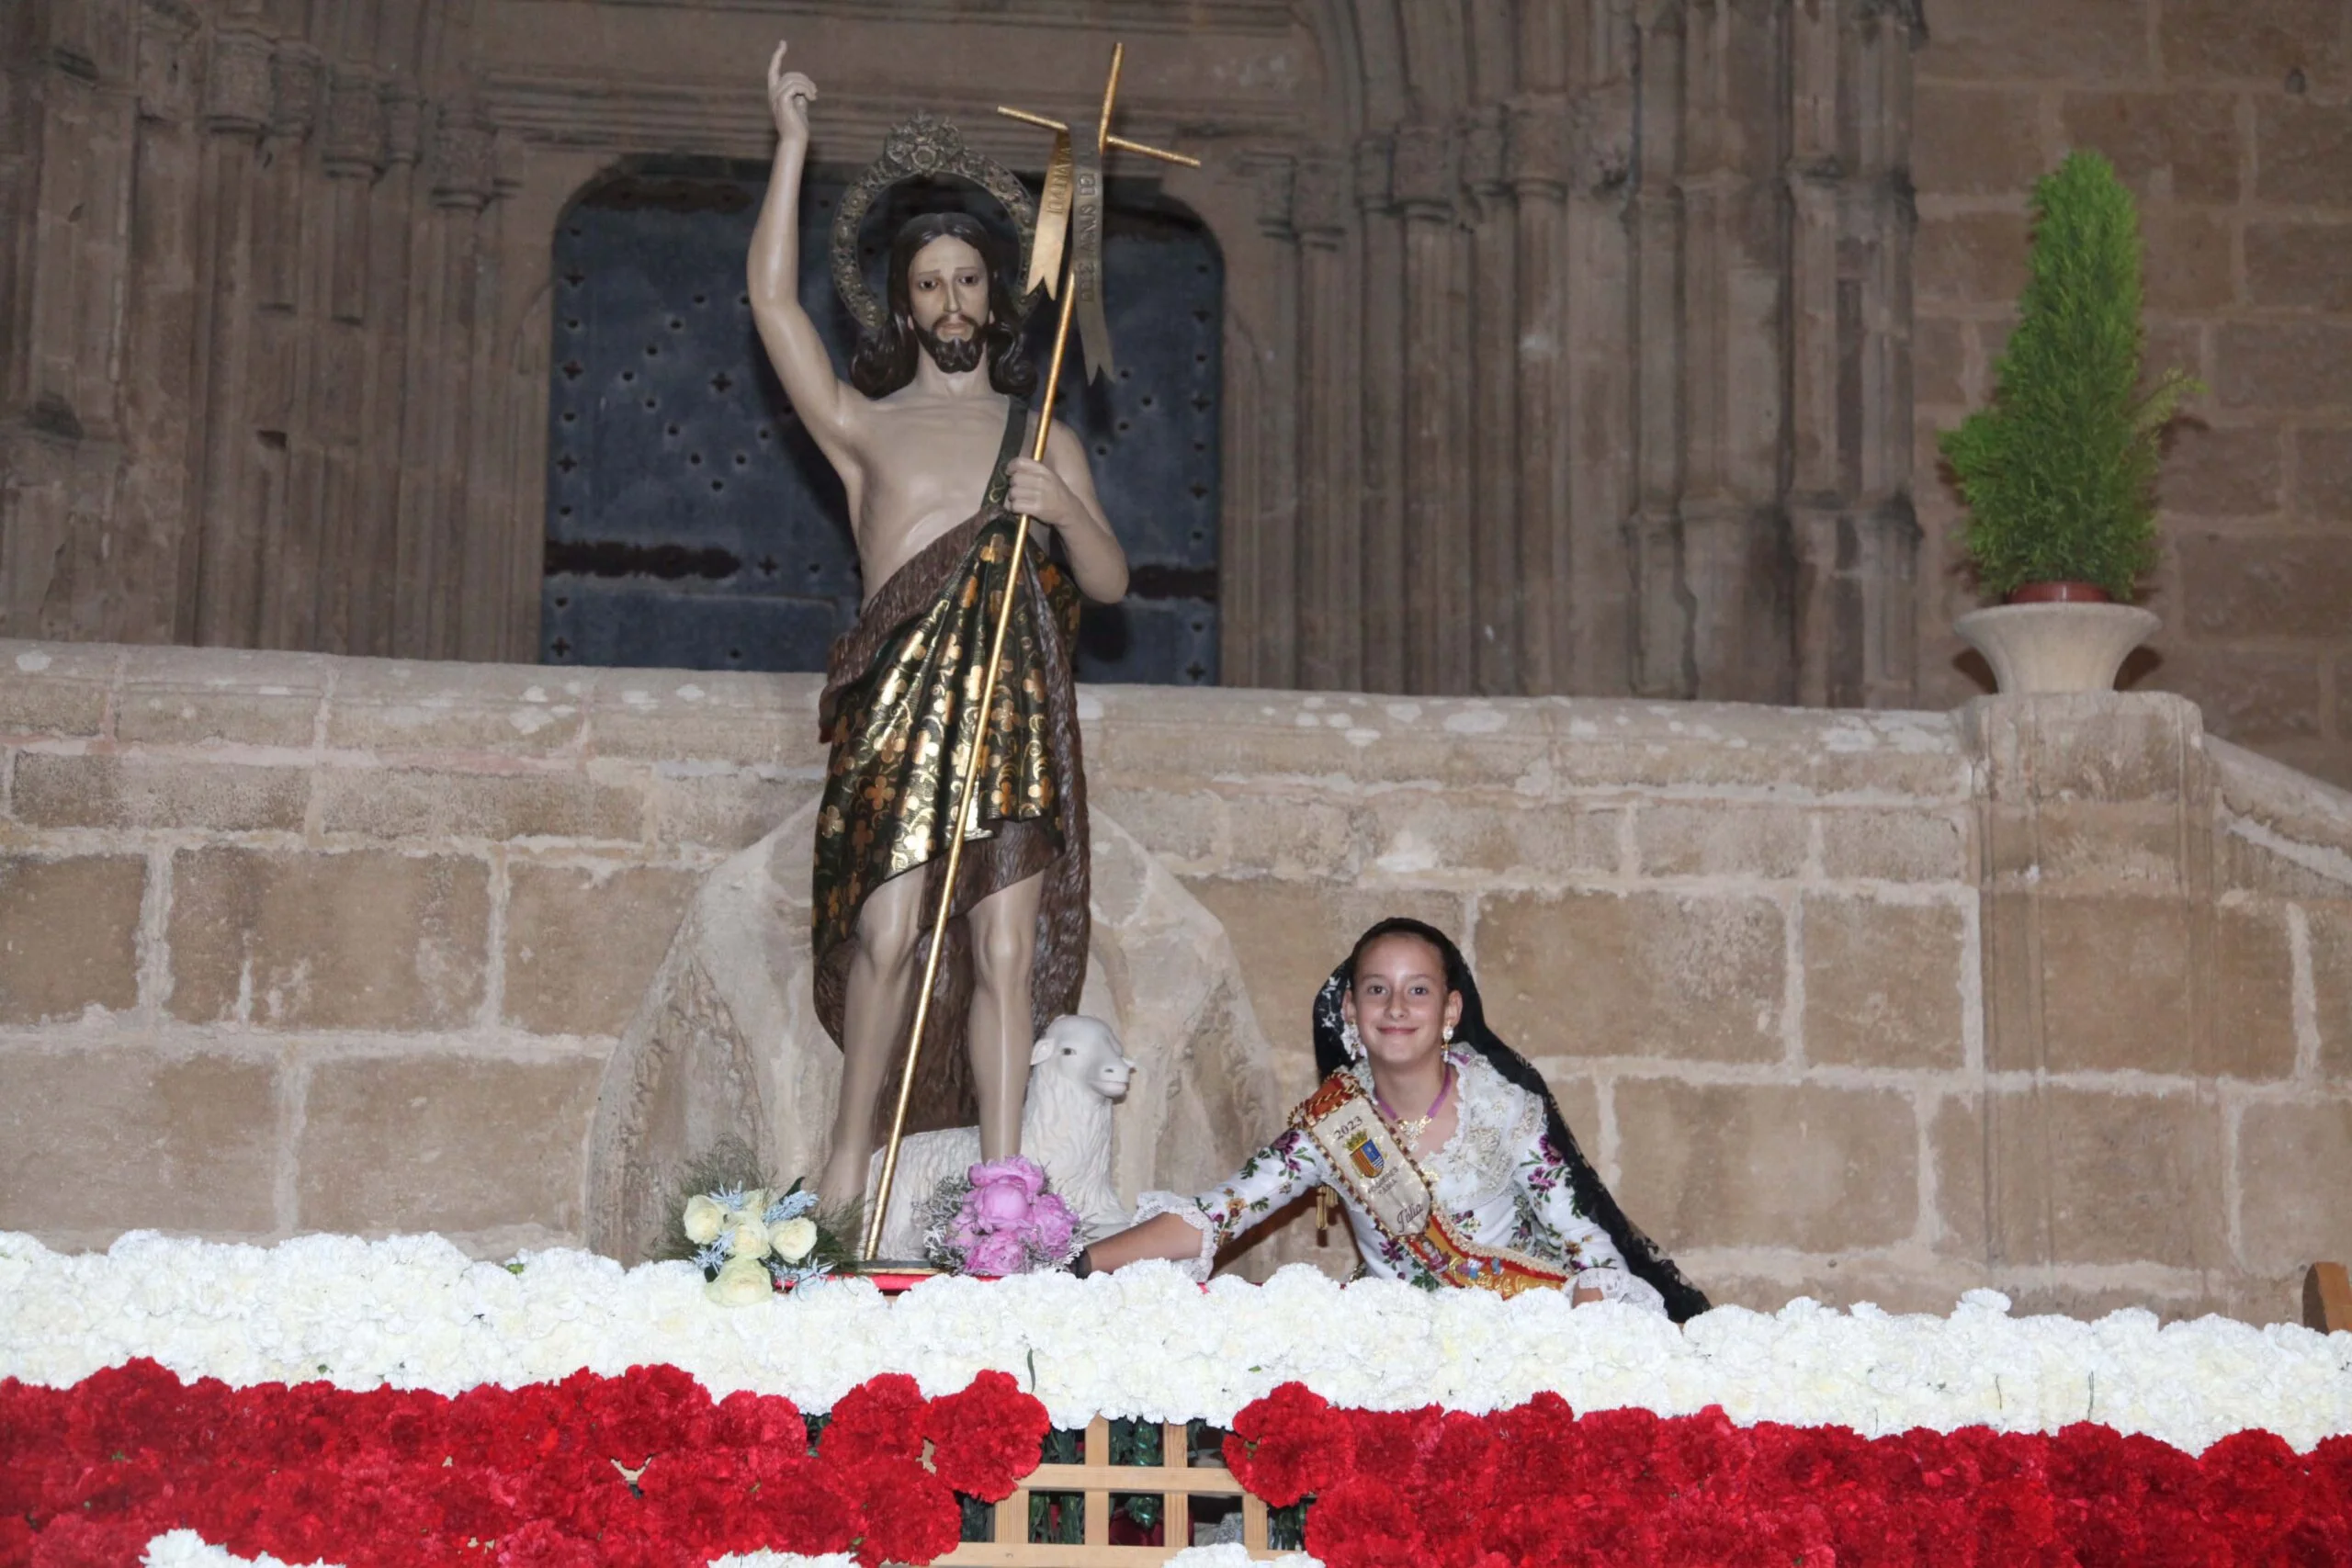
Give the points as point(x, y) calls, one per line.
point(1175, 1480)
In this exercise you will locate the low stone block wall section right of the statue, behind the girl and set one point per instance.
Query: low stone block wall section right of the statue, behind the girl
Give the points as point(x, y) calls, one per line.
point(1869, 1007)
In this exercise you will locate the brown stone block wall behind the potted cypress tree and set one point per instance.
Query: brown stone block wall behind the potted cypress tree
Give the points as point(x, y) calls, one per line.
point(2233, 126)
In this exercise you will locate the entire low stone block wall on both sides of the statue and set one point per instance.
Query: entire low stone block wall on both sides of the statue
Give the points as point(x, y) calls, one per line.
point(2052, 996)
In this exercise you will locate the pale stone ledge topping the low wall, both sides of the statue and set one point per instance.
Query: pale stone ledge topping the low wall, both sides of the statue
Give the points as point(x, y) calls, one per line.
point(1544, 746)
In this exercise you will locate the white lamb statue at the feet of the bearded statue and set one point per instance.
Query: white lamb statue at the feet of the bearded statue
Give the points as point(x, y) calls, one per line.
point(1076, 1073)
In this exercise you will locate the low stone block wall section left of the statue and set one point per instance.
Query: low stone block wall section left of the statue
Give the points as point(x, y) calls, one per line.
point(307, 944)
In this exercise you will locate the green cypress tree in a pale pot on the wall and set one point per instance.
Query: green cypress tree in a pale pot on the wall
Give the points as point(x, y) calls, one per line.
point(2062, 469)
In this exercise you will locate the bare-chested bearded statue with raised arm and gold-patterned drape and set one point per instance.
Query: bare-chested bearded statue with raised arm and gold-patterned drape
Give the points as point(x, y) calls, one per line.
point(928, 441)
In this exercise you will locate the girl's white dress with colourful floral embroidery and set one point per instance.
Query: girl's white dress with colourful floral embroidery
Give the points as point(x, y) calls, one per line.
point(1499, 1179)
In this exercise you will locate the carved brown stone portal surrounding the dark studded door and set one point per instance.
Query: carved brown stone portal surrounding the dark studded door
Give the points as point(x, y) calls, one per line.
point(1563, 344)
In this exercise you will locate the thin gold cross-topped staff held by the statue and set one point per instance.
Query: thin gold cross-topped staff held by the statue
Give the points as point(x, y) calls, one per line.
point(1057, 225)
